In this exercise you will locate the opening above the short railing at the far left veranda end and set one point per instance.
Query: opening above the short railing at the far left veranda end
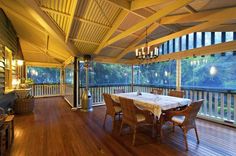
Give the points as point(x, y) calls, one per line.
point(43, 75)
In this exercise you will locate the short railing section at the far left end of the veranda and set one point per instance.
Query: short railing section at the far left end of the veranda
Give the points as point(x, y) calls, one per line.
point(45, 90)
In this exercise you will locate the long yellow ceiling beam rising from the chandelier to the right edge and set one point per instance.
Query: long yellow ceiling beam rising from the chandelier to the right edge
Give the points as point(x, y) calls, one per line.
point(216, 19)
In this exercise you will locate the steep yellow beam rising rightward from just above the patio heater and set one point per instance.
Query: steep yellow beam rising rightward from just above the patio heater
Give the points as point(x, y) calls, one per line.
point(115, 26)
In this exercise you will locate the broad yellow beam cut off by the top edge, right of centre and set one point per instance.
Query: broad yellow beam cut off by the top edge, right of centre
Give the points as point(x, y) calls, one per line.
point(138, 4)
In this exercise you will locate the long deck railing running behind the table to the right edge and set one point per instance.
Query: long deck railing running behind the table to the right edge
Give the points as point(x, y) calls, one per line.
point(218, 104)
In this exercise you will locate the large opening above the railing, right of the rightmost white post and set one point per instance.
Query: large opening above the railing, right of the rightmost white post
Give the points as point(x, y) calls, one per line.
point(210, 72)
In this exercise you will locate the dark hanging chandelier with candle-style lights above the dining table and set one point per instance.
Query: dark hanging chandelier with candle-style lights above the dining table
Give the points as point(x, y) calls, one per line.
point(146, 52)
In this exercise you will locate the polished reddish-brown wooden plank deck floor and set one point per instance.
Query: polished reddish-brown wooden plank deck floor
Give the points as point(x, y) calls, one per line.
point(54, 129)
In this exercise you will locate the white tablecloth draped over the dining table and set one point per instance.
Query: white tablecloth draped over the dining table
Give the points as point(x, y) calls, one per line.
point(153, 103)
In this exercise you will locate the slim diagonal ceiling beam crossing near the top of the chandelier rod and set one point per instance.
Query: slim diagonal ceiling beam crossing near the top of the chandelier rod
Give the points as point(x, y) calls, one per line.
point(153, 27)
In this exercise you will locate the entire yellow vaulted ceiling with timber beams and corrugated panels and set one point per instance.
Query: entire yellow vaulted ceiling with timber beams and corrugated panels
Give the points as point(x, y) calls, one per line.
point(110, 30)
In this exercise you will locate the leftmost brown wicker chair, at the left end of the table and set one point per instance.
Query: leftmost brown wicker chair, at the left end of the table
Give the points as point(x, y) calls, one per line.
point(112, 109)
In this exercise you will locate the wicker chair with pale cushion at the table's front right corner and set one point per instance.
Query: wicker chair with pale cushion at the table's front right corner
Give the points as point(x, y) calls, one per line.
point(185, 119)
